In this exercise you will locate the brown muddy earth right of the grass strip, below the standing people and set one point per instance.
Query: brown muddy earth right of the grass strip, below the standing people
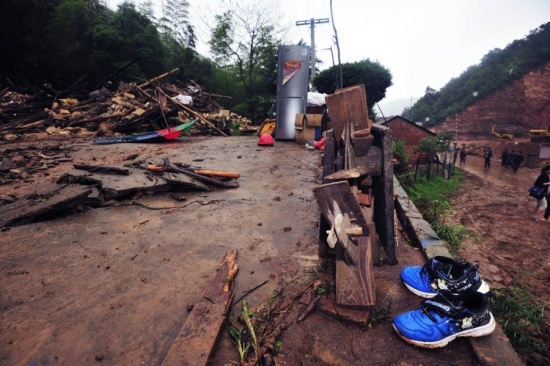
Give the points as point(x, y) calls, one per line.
point(509, 247)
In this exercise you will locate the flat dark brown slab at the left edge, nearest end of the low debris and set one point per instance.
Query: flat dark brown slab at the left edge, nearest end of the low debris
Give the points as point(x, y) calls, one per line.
point(47, 201)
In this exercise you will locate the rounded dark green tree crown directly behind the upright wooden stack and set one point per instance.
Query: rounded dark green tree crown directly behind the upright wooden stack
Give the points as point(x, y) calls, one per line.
point(373, 75)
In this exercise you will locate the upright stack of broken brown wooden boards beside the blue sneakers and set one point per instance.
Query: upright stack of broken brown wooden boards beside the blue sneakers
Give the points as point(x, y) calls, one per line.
point(357, 176)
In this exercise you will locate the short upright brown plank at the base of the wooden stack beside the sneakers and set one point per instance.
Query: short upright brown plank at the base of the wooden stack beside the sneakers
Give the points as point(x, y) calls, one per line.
point(355, 284)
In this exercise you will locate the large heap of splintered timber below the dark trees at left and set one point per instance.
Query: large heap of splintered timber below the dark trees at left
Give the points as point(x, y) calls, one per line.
point(131, 108)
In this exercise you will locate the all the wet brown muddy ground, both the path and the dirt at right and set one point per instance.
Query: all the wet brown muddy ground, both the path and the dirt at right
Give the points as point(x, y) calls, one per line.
point(114, 285)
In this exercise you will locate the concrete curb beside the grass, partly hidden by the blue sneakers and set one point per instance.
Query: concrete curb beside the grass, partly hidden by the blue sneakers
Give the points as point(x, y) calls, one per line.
point(491, 350)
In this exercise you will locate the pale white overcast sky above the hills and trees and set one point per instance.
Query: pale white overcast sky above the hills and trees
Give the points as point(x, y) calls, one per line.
point(422, 42)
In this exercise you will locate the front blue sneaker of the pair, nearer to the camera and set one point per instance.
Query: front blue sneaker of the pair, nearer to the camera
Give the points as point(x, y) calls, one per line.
point(445, 318)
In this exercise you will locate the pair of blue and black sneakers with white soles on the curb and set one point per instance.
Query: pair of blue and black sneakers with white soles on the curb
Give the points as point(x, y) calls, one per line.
point(456, 303)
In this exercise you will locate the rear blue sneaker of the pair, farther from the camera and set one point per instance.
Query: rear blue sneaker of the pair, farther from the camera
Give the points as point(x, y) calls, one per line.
point(440, 274)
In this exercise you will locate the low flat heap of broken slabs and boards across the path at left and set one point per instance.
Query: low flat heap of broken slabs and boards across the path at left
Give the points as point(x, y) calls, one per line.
point(98, 185)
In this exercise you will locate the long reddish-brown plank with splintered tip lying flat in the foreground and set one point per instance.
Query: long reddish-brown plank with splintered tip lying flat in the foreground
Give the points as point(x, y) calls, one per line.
point(194, 344)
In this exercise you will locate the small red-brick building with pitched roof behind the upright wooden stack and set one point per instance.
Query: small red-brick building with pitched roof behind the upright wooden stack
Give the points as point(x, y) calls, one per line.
point(405, 130)
